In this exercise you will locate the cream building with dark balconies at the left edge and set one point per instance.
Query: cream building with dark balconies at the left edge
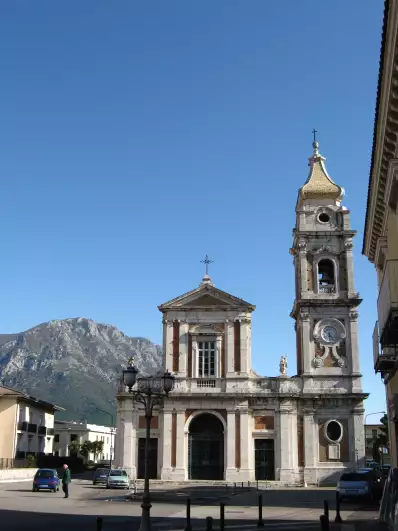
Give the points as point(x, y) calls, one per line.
point(27, 424)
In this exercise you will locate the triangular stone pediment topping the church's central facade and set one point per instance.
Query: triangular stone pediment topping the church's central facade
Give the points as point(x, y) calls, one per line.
point(206, 296)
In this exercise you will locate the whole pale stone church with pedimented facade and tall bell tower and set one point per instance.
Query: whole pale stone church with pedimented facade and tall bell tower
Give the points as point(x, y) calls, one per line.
point(223, 421)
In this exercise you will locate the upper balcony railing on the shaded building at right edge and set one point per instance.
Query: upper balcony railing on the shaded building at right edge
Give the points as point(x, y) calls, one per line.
point(387, 304)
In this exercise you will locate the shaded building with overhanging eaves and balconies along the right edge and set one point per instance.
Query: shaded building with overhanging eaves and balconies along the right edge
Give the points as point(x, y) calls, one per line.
point(380, 242)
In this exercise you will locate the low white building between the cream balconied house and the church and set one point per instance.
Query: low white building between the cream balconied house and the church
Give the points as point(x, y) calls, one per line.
point(68, 431)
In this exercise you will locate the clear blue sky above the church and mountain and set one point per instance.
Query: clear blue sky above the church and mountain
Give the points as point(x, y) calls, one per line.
point(135, 137)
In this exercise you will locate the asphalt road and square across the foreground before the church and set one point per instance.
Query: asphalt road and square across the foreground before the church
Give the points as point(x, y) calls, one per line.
point(289, 510)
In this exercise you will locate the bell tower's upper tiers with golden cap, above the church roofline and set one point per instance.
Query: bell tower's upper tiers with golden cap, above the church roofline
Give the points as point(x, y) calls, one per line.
point(325, 306)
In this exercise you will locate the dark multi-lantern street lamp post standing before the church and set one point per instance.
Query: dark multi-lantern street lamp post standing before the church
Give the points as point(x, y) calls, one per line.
point(150, 392)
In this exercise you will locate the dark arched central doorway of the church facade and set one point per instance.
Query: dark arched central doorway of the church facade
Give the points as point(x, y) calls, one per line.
point(206, 448)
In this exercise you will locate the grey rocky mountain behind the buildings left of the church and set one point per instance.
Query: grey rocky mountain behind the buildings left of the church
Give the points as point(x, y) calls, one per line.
point(74, 363)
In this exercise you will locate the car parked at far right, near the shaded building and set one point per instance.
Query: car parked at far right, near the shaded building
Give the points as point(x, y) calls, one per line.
point(363, 483)
